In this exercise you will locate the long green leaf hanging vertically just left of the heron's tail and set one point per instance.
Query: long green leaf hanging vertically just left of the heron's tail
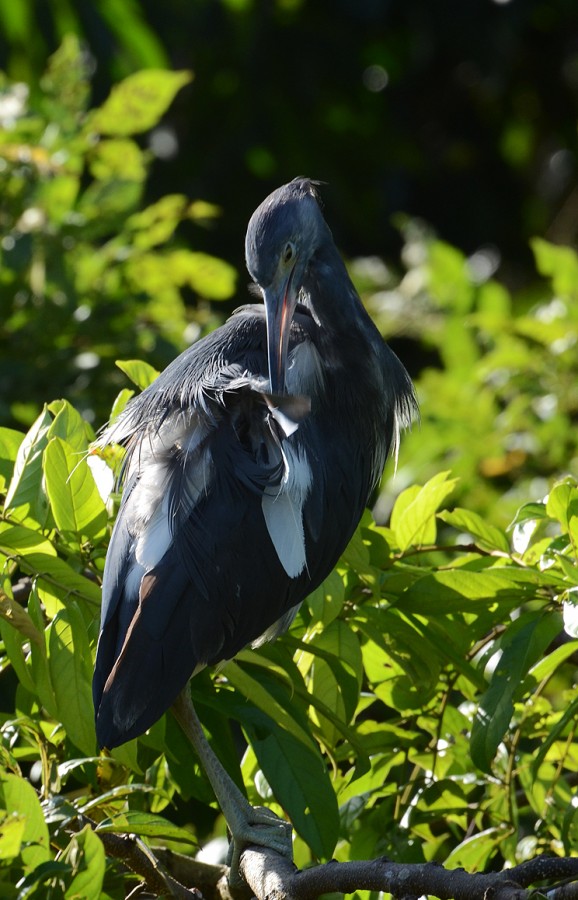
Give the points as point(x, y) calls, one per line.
point(70, 664)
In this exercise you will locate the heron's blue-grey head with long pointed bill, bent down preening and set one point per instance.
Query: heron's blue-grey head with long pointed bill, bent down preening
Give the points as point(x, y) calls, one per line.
point(282, 237)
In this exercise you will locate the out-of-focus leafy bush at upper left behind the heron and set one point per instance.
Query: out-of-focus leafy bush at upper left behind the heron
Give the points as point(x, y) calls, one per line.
point(88, 271)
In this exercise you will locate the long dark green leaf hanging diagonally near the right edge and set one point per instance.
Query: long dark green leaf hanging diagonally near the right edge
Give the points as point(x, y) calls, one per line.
point(522, 645)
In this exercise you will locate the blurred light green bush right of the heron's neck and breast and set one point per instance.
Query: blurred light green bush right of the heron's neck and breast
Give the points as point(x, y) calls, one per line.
point(500, 399)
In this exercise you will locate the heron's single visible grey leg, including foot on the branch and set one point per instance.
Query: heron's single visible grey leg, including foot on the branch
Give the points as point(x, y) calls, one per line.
point(249, 825)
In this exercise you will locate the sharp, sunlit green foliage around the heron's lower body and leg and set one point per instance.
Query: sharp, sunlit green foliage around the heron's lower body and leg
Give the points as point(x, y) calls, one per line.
point(409, 677)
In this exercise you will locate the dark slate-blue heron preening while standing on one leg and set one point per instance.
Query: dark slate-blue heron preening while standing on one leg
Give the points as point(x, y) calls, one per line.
point(249, 462)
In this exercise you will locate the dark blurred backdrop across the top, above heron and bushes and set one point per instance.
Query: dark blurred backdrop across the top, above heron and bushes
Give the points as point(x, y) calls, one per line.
point(463, 114)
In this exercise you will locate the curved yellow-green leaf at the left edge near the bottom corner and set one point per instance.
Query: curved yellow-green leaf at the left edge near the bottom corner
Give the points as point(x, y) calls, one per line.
point(17, 796)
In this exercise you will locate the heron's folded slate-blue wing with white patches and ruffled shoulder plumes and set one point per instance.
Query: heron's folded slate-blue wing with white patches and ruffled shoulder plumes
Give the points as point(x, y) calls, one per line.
point(209, 541)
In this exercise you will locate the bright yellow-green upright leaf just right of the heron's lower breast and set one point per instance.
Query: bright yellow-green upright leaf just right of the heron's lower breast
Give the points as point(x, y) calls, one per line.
point(413, 516)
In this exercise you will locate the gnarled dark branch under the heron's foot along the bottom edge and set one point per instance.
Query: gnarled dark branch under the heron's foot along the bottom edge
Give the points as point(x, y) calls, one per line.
point(273, 877)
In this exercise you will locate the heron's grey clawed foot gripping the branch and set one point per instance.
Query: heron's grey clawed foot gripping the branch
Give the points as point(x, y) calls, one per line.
point(261, 828)
